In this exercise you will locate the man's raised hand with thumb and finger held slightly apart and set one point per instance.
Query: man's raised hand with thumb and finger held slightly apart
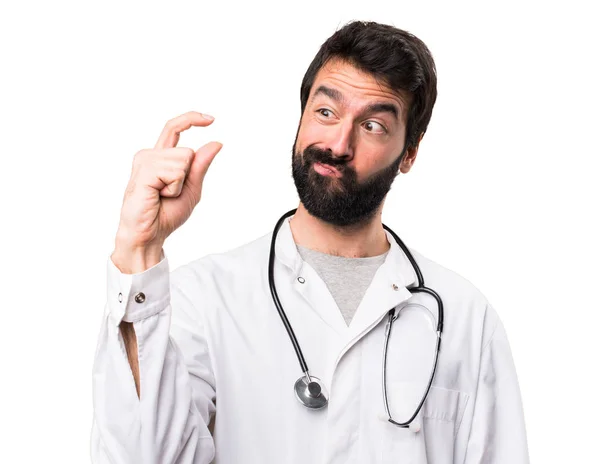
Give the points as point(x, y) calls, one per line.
point(164, 188)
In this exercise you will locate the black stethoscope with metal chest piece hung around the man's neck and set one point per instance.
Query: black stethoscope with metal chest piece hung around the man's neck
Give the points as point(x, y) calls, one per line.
point(310, 390)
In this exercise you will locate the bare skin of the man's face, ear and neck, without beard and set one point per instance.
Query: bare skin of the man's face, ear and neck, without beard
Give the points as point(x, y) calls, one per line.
point(360, 140)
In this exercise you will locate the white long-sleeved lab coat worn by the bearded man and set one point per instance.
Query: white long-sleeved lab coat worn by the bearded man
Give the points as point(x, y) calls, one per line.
point(210, 340)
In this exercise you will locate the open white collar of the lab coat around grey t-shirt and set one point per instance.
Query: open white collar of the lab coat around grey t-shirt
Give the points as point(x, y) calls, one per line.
point(387, 289)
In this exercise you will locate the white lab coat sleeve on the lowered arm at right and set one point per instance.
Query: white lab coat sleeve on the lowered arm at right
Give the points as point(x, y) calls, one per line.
point(497, 428)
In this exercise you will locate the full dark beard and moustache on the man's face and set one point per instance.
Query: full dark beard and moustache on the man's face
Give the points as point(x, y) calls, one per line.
point(341, 201)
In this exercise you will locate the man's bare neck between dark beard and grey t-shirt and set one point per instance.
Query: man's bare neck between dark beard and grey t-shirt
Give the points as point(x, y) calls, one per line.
point(357, 241)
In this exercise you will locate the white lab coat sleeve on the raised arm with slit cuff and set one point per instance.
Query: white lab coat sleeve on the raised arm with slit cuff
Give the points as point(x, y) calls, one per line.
point(168, 424)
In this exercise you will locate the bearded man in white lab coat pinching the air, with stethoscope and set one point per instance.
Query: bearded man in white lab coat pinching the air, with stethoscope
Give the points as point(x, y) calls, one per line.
point(200, 364)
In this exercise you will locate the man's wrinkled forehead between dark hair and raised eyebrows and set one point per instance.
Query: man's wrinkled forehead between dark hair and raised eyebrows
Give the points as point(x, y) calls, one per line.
point(356, 85)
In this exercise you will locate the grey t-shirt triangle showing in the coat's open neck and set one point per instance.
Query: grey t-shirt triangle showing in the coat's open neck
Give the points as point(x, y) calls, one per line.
point(346, 278)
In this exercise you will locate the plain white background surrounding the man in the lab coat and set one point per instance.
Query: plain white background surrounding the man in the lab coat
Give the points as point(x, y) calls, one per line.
point(504, 190)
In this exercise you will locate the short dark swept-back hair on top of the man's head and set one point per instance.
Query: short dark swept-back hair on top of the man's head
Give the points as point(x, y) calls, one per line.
point(396, 57)
